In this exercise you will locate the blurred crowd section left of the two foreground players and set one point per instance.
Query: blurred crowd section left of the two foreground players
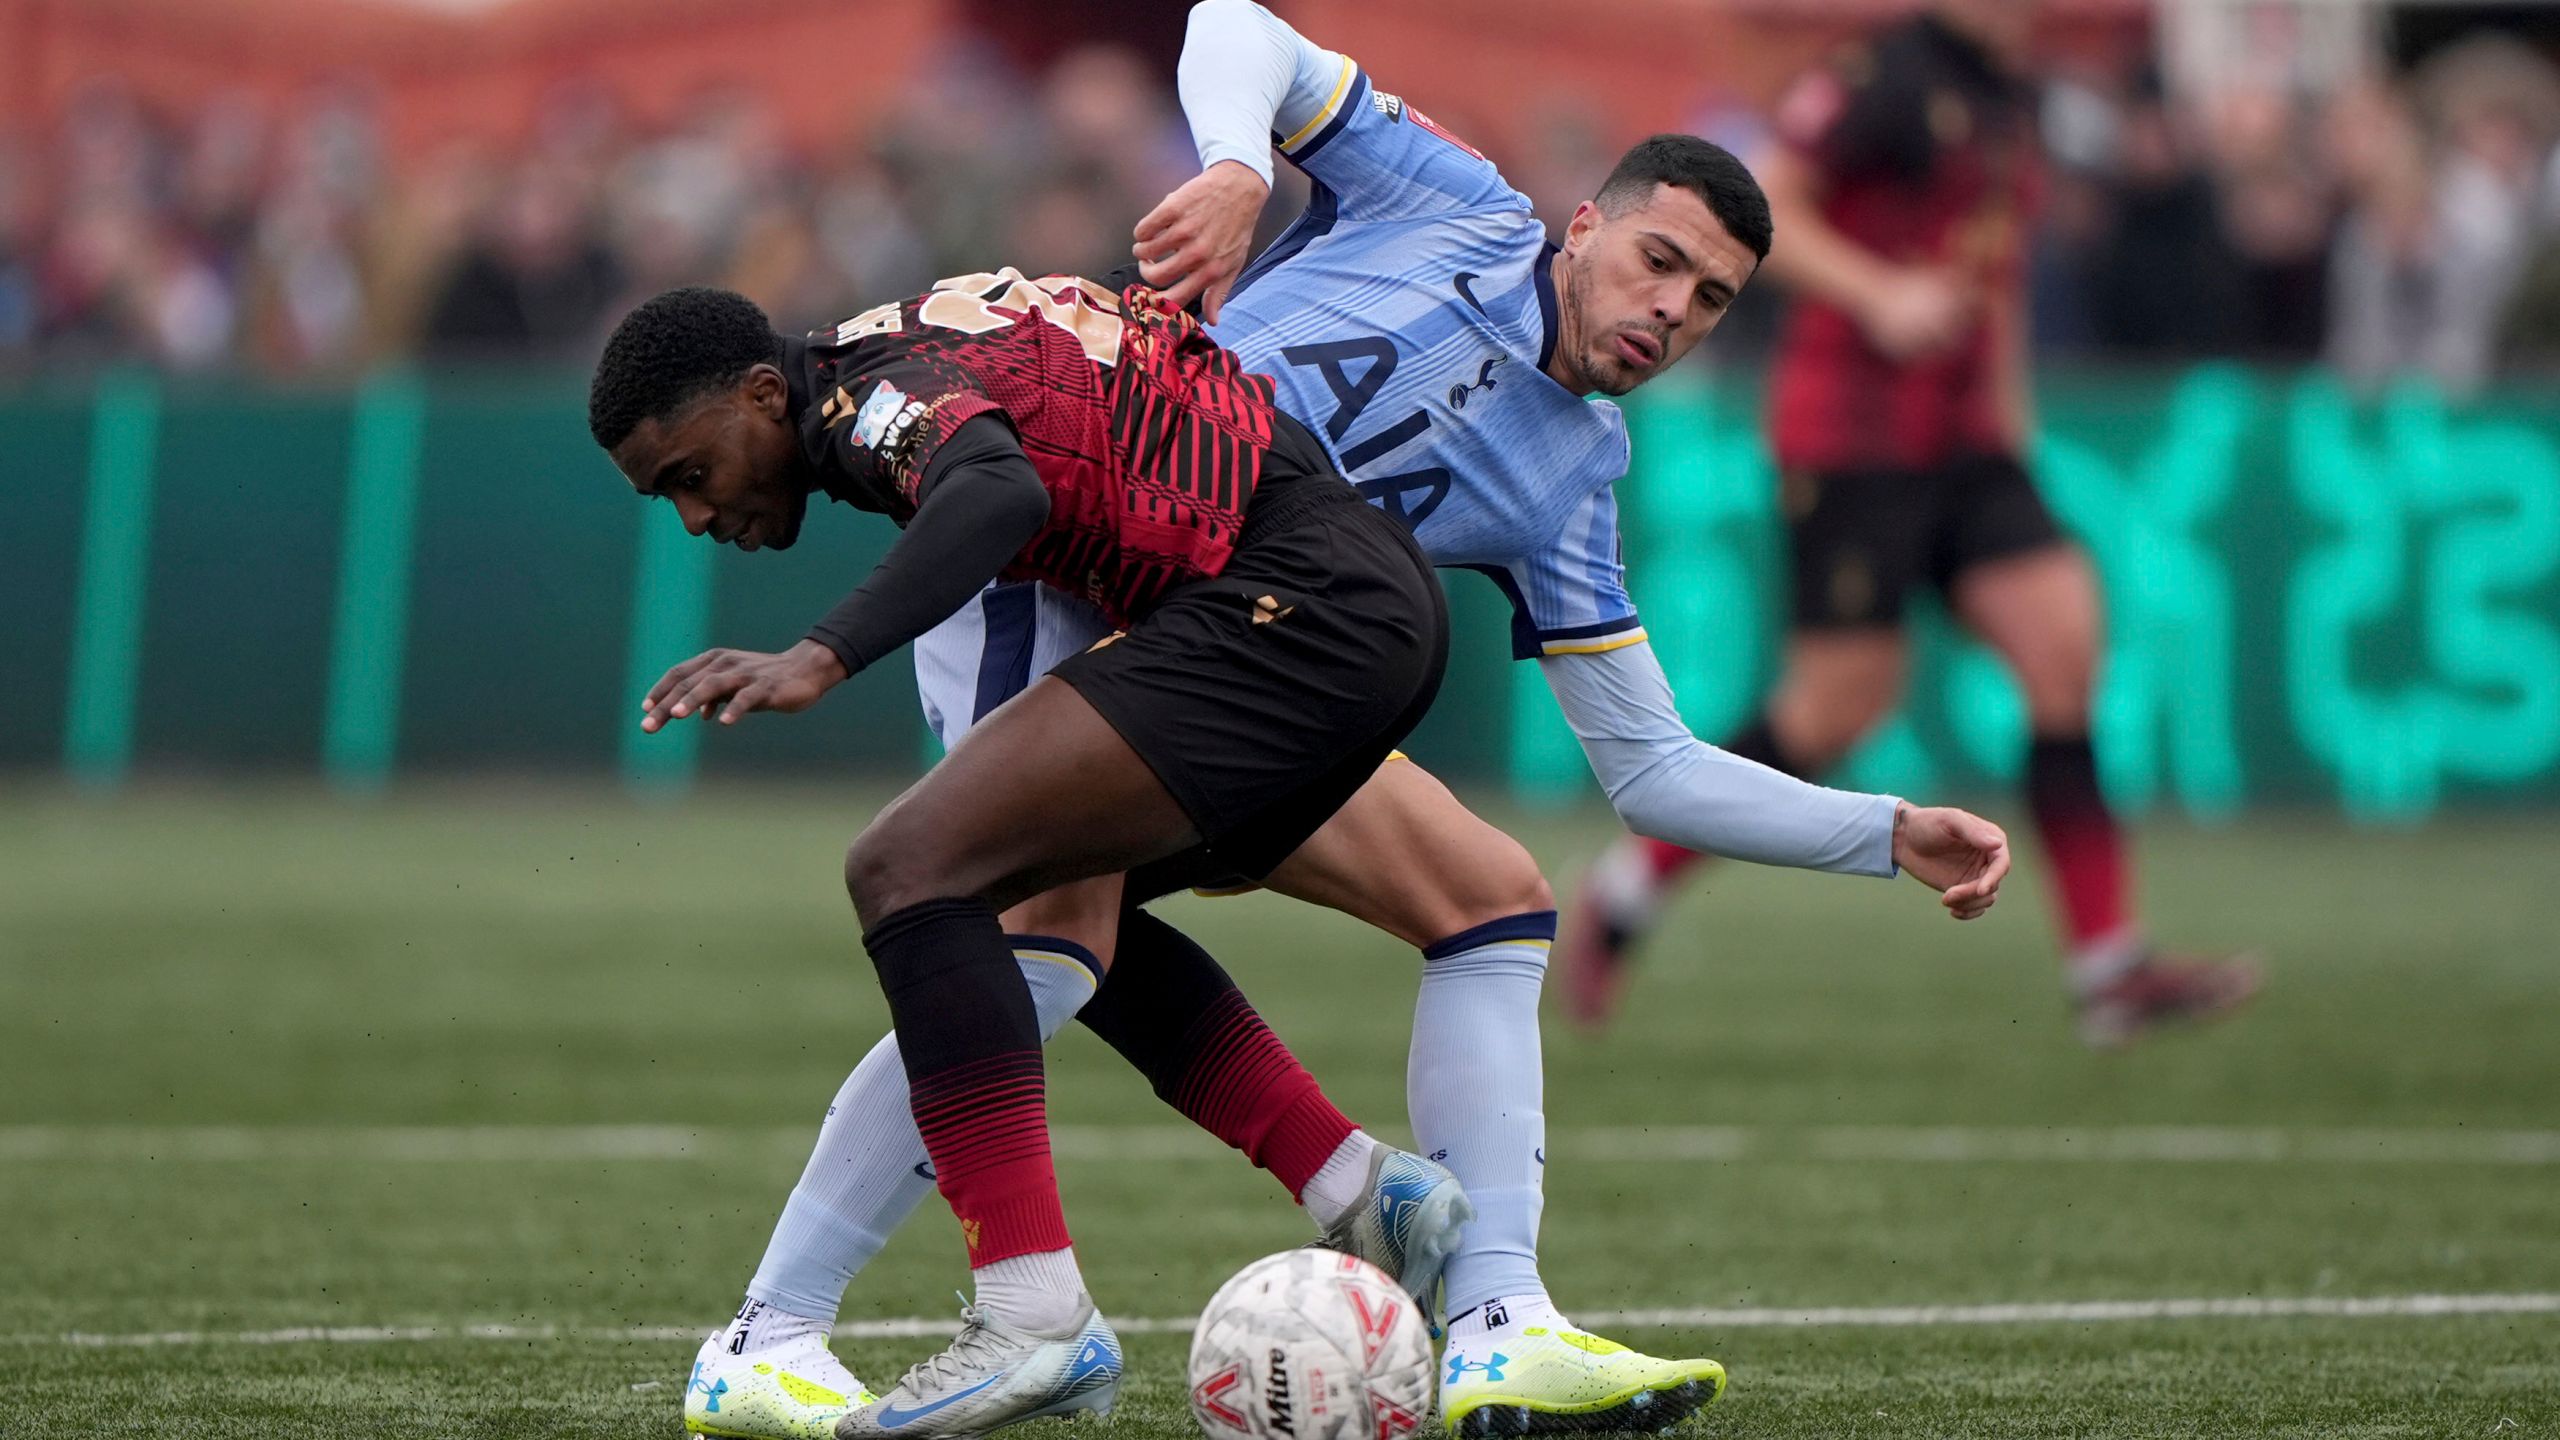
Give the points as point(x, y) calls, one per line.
point(296, 247)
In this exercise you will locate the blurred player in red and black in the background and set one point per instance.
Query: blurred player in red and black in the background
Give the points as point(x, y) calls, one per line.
point(1901, 421)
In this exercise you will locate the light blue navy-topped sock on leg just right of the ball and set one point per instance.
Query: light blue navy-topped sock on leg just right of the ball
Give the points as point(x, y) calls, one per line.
point(1476, 1090)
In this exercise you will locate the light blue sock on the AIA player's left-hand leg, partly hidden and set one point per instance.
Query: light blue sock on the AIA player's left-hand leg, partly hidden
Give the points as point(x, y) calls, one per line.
point(869, 1170)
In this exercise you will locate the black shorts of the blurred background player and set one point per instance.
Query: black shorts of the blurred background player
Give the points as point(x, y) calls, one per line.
point(1865, 539)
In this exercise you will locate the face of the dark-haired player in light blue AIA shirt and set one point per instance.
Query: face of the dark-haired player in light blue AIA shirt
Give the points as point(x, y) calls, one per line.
point(1642, 288)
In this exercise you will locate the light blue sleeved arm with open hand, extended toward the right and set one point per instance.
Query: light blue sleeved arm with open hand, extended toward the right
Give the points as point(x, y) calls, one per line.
point(1670, 785)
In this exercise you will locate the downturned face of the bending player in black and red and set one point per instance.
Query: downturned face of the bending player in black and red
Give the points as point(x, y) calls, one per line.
point(731, 465)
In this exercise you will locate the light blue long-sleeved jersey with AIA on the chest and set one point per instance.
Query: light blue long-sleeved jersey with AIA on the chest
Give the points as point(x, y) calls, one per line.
point(1409, 319)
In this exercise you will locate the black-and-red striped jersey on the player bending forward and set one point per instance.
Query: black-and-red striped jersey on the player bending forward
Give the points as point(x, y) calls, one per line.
point(1146, 432)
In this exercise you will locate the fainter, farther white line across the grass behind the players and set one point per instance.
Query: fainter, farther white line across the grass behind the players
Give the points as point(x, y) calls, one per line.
point(1617, 1147)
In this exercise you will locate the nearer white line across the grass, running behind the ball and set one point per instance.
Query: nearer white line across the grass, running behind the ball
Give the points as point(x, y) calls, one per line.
point(1704, 1318)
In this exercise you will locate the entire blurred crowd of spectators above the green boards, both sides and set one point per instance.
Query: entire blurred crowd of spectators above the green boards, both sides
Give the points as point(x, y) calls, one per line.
point(2395, 227)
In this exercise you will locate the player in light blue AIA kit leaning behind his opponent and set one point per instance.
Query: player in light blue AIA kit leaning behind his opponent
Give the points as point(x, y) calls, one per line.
point(1425, 329)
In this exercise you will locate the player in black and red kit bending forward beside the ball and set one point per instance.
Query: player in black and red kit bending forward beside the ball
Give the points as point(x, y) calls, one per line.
point(1279, 639)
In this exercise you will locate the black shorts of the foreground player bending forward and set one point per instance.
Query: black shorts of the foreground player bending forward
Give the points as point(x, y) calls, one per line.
point(1268, 696)
